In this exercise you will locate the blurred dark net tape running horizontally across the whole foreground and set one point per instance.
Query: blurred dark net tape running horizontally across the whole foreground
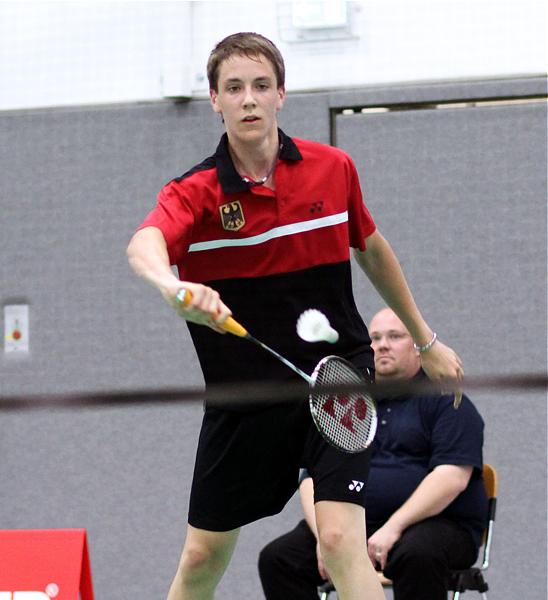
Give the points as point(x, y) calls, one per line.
point(267, 392)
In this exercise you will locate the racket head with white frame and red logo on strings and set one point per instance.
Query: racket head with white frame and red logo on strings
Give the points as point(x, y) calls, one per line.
point(348, 421)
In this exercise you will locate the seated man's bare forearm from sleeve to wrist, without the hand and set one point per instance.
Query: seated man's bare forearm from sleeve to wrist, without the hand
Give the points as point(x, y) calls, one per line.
point(435, 492)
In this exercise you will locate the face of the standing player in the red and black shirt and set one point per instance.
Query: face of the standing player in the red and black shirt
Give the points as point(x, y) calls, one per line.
point(248, 98)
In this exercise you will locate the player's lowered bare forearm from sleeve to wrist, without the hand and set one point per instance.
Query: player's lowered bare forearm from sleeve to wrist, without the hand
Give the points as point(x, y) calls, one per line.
point(383, 269)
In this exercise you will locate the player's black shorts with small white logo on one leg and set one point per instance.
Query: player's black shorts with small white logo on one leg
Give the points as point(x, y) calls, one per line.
point(247, 466)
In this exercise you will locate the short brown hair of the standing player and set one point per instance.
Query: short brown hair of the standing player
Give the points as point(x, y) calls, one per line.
point(245, 44)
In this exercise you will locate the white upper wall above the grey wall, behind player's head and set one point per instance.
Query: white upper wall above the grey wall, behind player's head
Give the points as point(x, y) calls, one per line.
point(71, 53)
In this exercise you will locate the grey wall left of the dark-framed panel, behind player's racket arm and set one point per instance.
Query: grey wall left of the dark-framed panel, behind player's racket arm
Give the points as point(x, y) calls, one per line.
point(74, 185)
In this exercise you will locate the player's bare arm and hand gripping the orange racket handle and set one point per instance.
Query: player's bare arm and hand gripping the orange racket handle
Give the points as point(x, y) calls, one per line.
point(148, 257)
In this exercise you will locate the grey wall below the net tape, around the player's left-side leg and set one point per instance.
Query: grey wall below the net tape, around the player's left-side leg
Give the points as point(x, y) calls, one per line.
point(124, 476)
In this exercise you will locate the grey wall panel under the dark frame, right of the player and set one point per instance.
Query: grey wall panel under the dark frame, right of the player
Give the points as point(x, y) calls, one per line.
point(461, 195)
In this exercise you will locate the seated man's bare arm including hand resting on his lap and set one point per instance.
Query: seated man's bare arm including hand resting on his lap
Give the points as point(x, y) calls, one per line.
point(435, 492)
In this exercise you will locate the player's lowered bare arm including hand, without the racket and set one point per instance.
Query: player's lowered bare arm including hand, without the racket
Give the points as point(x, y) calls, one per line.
point(383, 269)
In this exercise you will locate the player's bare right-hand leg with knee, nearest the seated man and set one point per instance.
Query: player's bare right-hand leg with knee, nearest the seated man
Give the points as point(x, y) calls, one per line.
point(341, 530)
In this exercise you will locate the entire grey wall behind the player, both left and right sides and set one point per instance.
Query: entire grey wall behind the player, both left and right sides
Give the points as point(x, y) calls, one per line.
point(74, 183)
